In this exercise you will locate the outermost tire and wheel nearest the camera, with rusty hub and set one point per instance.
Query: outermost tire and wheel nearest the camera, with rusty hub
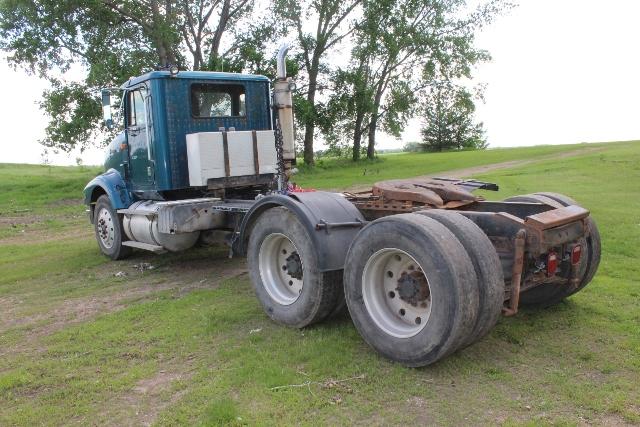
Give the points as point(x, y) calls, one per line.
point(411, 289)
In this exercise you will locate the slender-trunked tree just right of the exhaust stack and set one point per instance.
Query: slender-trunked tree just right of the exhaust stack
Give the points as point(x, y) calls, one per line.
point(331, 28)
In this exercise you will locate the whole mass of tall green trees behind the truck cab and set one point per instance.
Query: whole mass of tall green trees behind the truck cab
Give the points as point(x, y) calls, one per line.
point(399, 49)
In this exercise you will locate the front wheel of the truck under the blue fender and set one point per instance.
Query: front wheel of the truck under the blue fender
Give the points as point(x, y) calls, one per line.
point(108, 228)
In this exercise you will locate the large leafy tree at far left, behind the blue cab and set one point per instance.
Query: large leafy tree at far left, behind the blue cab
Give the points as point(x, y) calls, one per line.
point(113, 40)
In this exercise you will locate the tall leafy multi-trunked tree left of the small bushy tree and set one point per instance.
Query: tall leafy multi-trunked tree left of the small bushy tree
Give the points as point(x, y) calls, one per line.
point(402, 47)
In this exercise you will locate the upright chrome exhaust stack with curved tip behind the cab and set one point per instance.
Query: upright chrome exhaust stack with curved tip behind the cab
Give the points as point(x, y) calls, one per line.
point(284, 104)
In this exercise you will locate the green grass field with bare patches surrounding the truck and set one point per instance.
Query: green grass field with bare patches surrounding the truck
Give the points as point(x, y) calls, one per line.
point(187, 343)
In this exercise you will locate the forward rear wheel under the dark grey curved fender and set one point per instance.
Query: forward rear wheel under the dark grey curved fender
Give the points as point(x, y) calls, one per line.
point(284, 271)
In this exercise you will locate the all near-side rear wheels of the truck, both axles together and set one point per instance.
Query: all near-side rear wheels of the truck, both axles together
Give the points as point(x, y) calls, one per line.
point(418, 286)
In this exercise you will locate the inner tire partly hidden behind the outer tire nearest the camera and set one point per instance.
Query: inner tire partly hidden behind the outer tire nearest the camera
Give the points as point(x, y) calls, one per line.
point(486, 264)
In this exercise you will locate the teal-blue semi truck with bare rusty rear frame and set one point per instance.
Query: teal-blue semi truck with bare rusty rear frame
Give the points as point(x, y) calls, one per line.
point(423, 266)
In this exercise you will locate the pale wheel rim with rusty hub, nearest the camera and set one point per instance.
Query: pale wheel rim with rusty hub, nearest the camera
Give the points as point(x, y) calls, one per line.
point(381, 290)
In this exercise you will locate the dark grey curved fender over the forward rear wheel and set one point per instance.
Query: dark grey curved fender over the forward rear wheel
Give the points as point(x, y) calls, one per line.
point(331, 221)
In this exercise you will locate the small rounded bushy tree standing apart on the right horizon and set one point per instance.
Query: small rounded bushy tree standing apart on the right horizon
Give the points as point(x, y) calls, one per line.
point(449, 120)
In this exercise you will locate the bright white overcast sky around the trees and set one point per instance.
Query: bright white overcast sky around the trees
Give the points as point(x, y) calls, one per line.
point(563, 71)
